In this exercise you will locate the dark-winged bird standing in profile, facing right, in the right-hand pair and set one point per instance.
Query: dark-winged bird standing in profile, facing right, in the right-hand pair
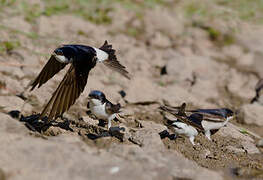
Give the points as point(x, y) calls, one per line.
point(204, 120)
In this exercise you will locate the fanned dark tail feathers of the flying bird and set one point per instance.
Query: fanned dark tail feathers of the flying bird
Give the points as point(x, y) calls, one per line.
point(112, 61)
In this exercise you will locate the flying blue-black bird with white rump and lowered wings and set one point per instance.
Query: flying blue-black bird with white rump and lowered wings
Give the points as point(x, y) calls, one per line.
point(81, 59)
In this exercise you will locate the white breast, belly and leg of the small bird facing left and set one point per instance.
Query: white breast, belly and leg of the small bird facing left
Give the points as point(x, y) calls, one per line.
point(98, 110)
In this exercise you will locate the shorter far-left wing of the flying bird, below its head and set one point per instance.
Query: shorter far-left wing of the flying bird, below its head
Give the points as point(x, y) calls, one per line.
point(51, 68)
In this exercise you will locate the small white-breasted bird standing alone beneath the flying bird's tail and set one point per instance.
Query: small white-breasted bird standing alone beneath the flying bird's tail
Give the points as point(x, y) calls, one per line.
point(101, 107)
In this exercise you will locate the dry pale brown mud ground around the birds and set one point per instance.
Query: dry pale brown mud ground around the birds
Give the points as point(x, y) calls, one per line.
point(173, 51)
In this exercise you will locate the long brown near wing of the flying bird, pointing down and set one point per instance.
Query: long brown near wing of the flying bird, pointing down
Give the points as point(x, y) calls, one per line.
point(66, 94)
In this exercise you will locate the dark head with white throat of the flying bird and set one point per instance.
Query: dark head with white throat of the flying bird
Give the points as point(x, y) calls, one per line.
point(64, 54)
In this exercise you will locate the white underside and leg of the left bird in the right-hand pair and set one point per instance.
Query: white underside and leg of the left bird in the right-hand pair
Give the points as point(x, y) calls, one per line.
point(186, 130)
